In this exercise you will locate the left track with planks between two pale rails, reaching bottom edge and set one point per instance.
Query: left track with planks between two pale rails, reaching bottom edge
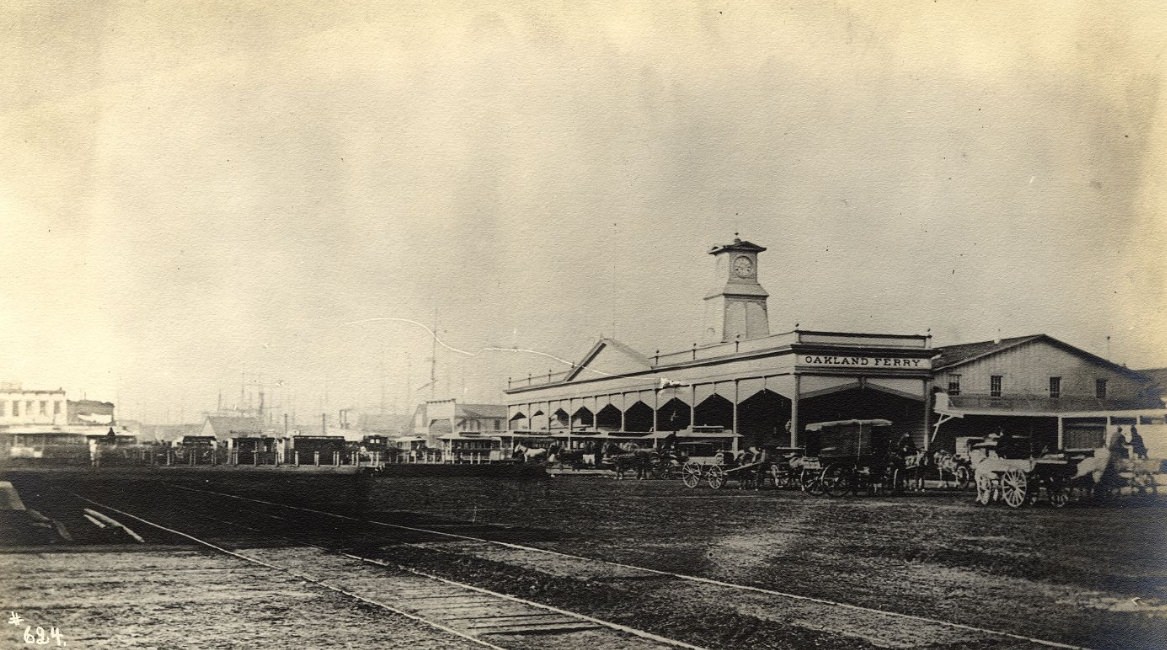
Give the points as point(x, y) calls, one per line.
point(505, 624)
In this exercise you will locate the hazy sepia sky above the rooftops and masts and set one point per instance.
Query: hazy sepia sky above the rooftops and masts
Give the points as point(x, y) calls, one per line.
point(200, 195)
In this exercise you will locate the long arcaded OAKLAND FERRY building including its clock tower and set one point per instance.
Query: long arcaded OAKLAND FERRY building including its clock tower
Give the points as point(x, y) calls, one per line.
point(745, 386)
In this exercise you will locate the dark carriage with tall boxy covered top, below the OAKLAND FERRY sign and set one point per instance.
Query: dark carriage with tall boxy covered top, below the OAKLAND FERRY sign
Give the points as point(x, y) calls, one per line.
point(857, 457)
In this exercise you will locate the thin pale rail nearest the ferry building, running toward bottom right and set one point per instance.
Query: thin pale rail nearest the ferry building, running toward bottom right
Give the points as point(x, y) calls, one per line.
point(690, 578)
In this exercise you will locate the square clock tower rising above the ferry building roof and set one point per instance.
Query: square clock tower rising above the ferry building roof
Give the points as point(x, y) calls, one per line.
point(736, 307)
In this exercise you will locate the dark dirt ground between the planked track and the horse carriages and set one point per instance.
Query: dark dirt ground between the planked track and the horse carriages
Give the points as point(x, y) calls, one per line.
point(1085, 576)
